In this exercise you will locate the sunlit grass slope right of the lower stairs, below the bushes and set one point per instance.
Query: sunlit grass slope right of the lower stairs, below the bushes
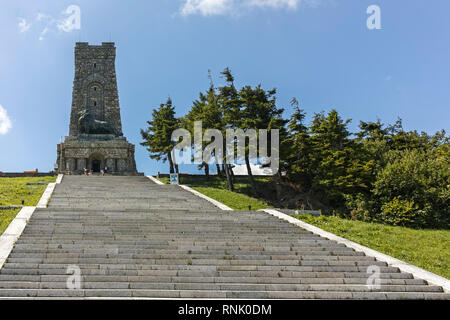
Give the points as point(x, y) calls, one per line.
point(427, 249)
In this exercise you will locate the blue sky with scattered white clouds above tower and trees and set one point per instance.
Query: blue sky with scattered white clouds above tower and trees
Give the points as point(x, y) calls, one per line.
point(319, 51)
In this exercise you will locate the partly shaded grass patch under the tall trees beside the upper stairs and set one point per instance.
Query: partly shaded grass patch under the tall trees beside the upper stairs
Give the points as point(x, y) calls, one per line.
point(216, 188)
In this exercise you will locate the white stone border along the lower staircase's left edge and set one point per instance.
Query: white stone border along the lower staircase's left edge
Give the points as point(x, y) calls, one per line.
point(13, 232)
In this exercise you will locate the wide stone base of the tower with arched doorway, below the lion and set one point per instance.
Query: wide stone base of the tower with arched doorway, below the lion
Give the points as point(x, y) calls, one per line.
point(96, 153)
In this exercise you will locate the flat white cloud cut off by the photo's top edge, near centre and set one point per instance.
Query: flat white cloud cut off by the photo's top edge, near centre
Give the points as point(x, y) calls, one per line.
point(221, 7)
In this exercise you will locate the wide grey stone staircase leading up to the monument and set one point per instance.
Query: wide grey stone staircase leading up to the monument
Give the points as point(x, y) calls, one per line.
point(132, 238)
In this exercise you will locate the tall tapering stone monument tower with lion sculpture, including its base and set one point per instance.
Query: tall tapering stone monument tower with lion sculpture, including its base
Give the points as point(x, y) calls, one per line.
point(95, 138)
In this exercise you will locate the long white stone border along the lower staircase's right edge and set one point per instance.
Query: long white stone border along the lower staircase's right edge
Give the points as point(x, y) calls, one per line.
point(417, 272)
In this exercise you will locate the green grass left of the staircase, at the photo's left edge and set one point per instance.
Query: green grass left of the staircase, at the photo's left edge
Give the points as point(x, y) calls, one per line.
point(14, 190)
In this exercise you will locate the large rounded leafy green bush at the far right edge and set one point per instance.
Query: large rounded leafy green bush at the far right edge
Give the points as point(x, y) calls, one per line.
point(413, 189)
